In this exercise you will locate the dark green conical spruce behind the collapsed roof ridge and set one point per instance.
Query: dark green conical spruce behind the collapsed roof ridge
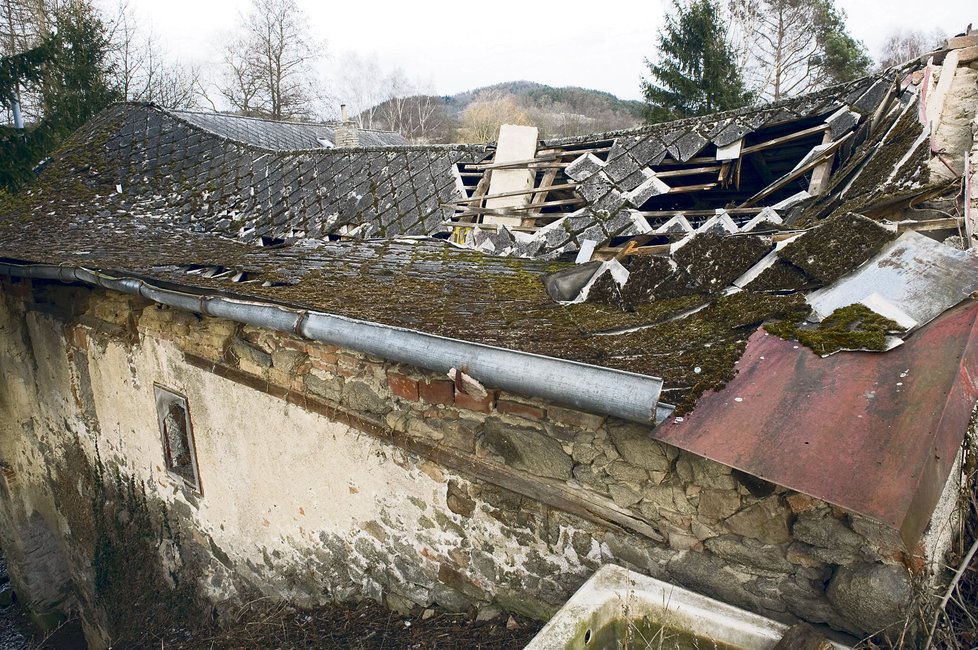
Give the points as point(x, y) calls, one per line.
point(695, 73)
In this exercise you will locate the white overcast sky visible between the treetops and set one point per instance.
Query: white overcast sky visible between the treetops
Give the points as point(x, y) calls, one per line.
point(459, 46)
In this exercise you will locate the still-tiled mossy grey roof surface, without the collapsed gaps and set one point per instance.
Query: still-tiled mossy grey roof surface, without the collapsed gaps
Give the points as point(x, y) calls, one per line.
point(141, 191)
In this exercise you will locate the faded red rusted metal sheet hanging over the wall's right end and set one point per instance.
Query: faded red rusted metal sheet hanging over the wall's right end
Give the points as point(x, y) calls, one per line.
point(875, 434)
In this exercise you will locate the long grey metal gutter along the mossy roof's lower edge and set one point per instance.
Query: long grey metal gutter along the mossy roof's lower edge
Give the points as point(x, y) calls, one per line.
point(594, 389)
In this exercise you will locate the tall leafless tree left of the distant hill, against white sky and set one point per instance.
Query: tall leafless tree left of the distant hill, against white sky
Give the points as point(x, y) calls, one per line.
point(269, 63)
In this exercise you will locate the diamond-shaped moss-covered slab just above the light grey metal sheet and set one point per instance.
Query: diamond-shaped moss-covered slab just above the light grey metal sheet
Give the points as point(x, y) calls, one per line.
point(836, 247)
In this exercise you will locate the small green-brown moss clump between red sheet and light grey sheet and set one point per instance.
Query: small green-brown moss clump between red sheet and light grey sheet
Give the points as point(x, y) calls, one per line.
point(855, 327)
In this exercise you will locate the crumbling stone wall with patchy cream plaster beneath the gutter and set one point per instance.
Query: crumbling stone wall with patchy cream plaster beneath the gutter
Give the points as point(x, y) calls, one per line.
point(330, 474)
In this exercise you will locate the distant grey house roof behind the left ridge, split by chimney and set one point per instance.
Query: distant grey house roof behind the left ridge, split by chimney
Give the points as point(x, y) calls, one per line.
point(282, 135)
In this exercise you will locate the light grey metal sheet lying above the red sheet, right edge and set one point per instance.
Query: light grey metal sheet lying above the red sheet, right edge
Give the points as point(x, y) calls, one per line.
point(918, 276)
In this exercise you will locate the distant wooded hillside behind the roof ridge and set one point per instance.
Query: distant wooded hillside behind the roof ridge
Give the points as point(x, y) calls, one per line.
point(475, 115)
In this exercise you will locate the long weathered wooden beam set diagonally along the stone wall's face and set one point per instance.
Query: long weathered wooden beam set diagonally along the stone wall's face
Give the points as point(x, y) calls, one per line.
point(556, 494)
